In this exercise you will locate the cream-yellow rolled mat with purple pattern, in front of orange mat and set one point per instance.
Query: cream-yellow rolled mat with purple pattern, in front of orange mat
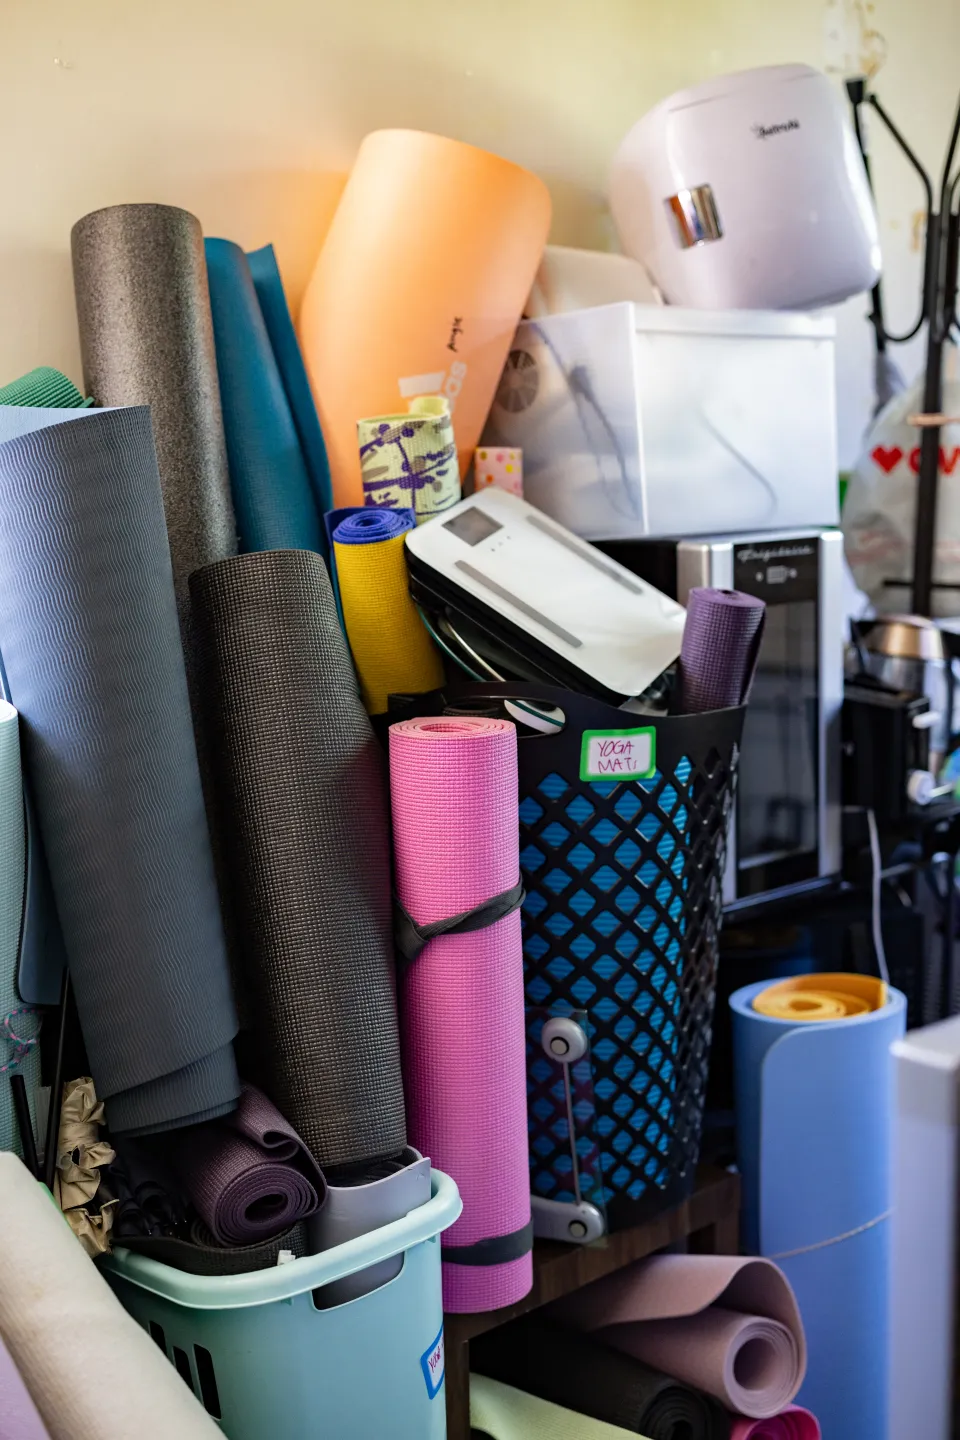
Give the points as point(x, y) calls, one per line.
point(411, 460)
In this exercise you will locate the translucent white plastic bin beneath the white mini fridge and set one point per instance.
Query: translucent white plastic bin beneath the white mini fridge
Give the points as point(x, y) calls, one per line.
point(657, 421)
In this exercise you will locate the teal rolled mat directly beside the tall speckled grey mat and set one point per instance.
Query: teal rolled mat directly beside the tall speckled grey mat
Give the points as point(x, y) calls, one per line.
point(273, 493)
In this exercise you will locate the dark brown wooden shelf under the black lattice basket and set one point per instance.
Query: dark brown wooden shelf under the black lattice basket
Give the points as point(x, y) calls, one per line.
point(709, 1222)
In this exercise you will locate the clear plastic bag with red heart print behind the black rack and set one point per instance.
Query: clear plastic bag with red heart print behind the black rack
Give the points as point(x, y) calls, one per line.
point(882, 505)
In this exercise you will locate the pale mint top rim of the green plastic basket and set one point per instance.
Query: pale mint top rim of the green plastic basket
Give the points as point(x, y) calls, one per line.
point(230, 1292)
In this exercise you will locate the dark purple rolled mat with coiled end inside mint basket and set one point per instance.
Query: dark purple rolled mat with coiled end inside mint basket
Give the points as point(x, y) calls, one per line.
point(250, 1176)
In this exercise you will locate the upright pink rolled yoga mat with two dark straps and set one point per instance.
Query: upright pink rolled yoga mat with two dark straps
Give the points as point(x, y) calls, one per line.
point(457, 845)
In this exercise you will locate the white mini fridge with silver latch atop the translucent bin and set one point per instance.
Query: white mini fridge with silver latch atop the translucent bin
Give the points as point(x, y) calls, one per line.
point(749, 192)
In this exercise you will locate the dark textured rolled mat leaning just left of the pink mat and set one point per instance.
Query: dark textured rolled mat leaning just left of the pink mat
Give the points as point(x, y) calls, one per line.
point(309, 847)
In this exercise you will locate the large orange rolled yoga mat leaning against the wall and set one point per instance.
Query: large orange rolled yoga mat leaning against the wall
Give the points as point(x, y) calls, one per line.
point(418, 289)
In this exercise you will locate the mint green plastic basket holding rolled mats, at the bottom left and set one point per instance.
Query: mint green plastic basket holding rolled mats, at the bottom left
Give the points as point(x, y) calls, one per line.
point(268, 1366)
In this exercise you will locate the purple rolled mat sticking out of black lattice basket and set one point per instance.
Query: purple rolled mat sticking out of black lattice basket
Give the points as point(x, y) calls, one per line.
point(719, 656)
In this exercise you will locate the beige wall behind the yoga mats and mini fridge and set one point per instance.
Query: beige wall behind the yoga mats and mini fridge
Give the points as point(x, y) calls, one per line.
point(248, 113)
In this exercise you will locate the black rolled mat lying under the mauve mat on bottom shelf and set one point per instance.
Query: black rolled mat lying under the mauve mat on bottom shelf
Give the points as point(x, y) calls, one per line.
point(582, 1374)
